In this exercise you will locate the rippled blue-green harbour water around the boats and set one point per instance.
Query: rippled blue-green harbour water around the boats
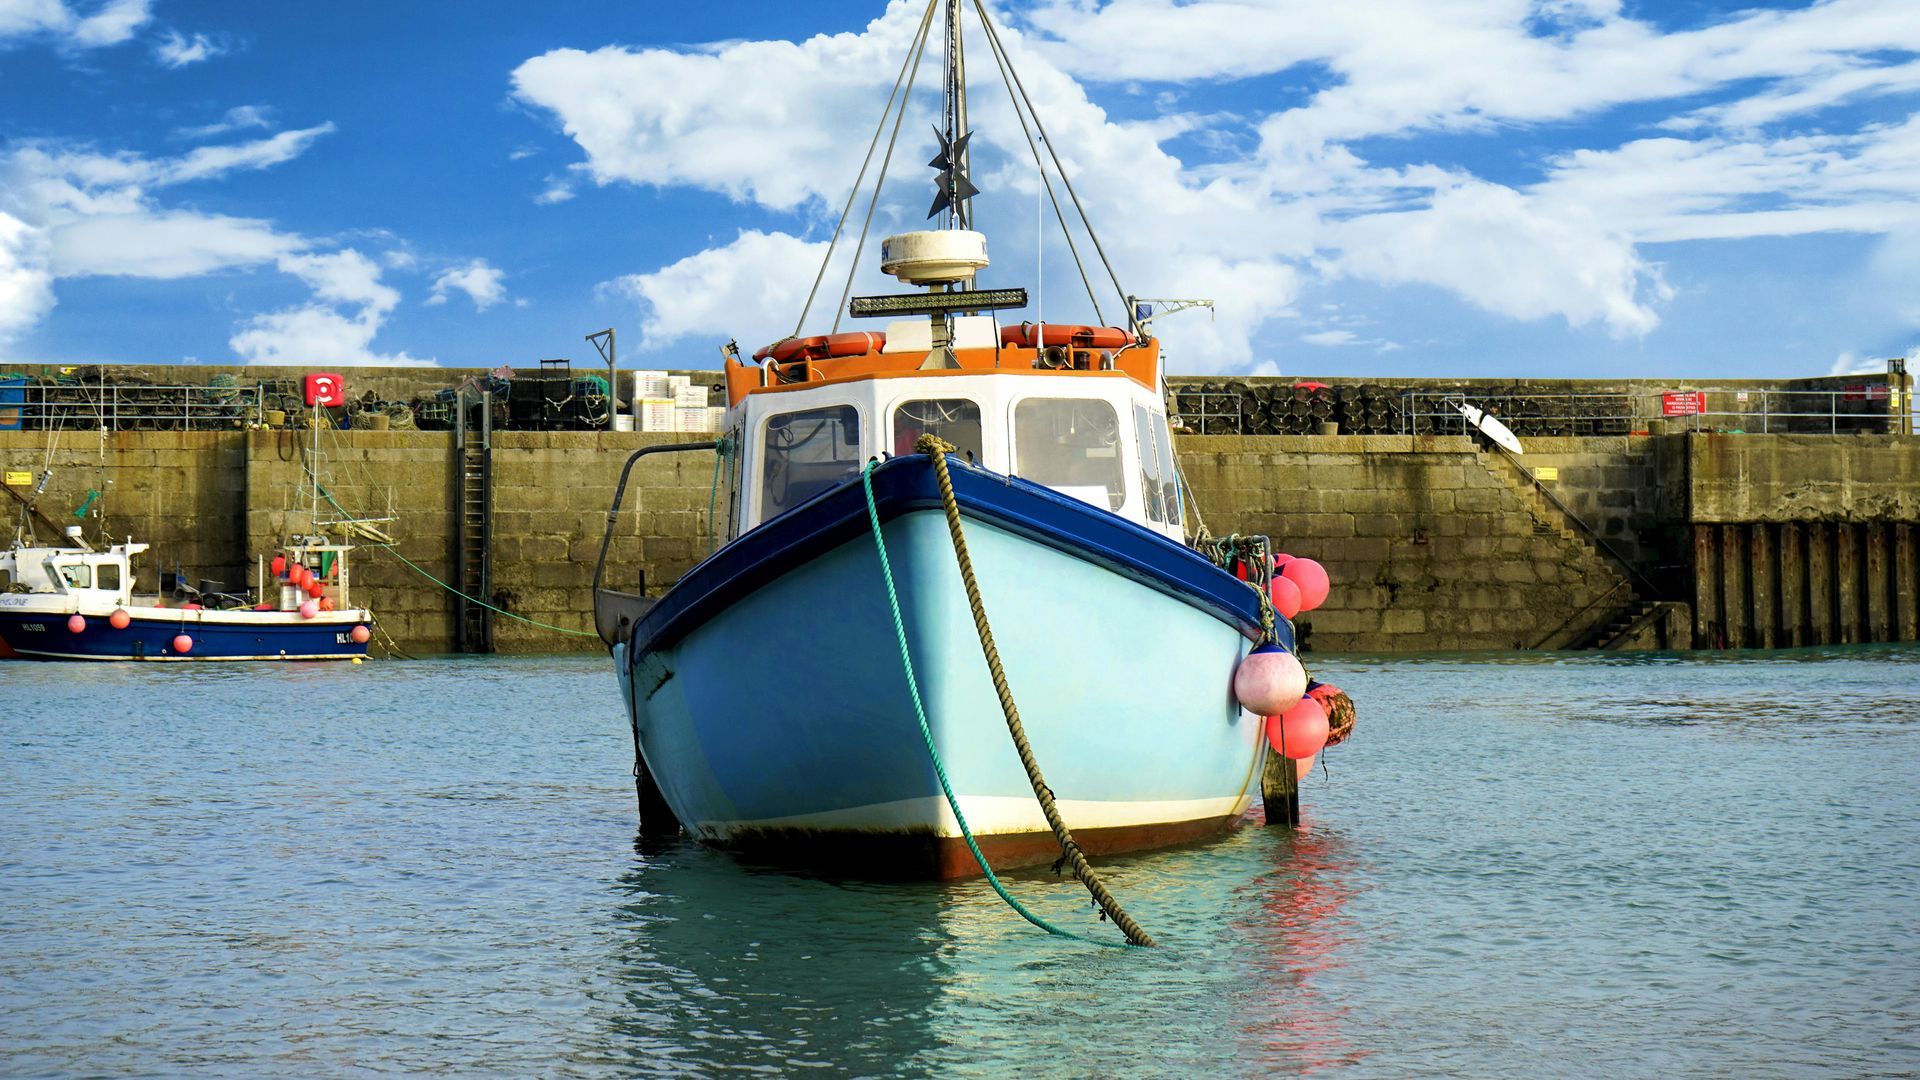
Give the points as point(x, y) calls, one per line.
point(1520, 866)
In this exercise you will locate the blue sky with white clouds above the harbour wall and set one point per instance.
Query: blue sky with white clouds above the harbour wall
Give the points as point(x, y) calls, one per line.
point(1481, 187)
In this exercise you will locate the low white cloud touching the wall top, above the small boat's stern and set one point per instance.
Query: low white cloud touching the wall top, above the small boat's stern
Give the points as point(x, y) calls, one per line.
point(322, 333)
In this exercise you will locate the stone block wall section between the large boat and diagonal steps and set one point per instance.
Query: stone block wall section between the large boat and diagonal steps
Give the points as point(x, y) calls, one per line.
point(1429, 549)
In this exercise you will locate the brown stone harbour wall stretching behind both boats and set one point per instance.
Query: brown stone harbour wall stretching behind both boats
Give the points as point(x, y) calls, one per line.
point(1435, 543)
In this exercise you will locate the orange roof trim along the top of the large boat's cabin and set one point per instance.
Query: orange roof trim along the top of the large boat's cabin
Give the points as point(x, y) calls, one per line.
point(1140, 362)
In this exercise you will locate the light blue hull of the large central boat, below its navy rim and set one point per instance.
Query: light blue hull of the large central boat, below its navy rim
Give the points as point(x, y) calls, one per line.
point(788, 720)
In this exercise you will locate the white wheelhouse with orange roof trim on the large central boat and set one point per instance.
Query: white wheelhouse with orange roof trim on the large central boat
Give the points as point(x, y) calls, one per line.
point(1070, 408)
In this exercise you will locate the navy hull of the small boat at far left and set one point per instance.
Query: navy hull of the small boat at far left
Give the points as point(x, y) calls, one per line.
point(36, 629)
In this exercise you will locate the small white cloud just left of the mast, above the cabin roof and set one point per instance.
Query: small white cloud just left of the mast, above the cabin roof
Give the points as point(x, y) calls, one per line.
point(752, 289)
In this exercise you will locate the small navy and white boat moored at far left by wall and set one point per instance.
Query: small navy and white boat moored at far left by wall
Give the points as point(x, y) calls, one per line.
point(74, 602)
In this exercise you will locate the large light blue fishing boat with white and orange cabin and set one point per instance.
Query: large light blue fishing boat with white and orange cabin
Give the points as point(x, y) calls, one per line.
point(769, 693)
